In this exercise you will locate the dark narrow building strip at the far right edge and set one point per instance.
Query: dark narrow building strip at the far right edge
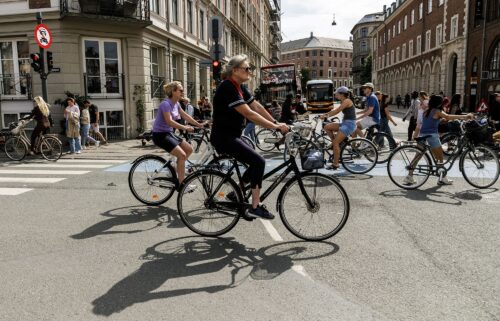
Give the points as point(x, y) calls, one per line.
point(483, 52)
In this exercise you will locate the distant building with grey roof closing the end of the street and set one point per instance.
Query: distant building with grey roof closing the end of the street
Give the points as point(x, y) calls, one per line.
point(326, 58)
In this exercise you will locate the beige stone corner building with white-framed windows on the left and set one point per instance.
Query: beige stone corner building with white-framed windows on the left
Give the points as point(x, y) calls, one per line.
point(120, 54)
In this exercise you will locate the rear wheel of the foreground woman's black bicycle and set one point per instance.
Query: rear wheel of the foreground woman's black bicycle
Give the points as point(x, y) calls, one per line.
point(204, 215)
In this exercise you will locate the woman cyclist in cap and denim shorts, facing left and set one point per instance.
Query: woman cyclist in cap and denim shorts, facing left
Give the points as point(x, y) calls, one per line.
point(344, 129)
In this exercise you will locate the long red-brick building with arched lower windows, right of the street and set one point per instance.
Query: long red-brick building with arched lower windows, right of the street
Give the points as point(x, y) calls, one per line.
point(421, 45)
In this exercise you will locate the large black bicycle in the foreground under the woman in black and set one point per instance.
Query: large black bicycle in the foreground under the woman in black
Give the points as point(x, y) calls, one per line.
point(311, 205)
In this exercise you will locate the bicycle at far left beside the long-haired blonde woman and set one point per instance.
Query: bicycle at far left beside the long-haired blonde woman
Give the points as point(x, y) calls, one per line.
point(18, 146)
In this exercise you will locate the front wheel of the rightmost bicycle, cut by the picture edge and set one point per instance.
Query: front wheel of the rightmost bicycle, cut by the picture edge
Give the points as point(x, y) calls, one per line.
point(480, 166)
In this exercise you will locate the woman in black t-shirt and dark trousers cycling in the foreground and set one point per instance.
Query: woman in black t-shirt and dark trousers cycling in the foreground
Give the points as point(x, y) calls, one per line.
point(232, 104)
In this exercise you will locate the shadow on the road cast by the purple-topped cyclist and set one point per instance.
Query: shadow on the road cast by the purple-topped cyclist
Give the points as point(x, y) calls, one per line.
point(125, 216)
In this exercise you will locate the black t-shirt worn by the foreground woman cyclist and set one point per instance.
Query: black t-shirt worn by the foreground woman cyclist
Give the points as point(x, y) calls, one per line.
point(226, 120)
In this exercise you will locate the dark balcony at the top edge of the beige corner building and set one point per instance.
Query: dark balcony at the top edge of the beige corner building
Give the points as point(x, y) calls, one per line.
point(119, 9)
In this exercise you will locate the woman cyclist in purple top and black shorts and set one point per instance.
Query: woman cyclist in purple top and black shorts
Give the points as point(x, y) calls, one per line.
point(165, 124)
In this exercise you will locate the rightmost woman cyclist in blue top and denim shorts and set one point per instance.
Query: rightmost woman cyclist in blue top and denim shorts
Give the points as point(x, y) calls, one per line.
point(430, 122)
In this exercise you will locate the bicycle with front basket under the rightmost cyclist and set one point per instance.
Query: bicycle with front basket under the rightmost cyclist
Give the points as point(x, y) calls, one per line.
point(478, 163)
